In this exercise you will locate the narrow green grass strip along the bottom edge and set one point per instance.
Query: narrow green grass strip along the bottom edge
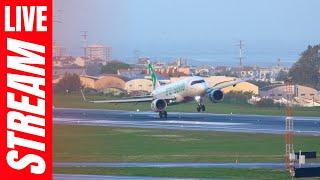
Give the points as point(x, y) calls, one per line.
point(220, 173)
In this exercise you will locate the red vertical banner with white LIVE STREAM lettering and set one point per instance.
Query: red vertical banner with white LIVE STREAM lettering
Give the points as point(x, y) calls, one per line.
point(26, 89)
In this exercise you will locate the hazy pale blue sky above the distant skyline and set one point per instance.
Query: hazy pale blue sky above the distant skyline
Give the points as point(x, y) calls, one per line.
point(201, 30)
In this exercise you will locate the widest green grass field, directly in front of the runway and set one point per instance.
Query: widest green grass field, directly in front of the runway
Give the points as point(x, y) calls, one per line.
point(112, 144)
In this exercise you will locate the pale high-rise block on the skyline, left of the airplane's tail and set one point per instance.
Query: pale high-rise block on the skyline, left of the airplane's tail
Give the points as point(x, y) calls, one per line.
point(97, 52)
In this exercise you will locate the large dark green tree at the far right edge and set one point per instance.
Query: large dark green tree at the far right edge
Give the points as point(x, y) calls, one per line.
point(306, 71)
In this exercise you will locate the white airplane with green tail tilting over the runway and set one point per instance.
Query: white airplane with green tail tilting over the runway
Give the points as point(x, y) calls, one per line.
point(181, 91)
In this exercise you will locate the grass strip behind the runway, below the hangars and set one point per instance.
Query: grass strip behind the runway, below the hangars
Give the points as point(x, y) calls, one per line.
point(75, 101)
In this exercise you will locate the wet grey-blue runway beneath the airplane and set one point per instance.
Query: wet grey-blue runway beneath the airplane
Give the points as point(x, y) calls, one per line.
point(186, 121)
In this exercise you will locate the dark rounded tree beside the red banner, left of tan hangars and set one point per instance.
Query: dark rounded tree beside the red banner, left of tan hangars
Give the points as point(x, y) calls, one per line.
point(68, 83)
